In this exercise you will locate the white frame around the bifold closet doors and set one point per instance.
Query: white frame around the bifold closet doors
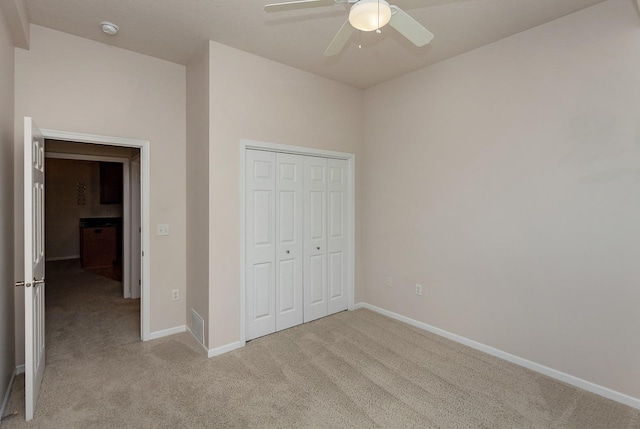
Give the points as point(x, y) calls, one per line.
point(295, 150)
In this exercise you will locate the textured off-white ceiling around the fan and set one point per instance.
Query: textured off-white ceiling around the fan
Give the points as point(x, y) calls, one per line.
point(174, 29)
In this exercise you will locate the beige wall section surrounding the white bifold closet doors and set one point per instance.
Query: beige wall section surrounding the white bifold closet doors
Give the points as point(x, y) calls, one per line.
point(258, 99)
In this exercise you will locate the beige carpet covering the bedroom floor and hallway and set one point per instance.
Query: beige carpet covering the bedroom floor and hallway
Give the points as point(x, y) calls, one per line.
point(351, 370)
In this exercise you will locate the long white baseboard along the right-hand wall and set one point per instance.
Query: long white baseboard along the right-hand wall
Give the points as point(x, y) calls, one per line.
point(550, 372)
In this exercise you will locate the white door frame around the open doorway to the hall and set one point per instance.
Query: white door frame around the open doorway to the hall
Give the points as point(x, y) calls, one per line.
point(145, 257)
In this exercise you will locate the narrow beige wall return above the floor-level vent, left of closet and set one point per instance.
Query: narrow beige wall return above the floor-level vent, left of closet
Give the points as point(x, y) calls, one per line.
point(198, 186)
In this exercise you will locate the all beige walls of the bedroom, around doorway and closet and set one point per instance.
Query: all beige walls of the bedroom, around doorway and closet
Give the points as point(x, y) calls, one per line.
point(504, 180)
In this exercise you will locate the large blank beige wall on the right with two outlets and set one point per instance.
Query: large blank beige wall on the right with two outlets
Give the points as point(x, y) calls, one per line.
point(506, 181)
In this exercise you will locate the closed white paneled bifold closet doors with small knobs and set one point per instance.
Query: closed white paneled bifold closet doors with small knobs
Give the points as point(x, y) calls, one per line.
point(296, 240)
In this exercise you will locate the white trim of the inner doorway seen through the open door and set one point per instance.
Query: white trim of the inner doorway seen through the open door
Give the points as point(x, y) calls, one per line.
point(126, 206)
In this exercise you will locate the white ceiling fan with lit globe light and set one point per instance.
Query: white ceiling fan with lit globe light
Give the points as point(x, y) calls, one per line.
point(364, 15)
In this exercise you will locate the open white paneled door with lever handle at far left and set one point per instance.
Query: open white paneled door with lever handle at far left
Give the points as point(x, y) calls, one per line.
point(33, 263)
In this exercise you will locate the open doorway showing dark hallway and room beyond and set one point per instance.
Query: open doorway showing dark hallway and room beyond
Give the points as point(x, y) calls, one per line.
point(92, 231)
